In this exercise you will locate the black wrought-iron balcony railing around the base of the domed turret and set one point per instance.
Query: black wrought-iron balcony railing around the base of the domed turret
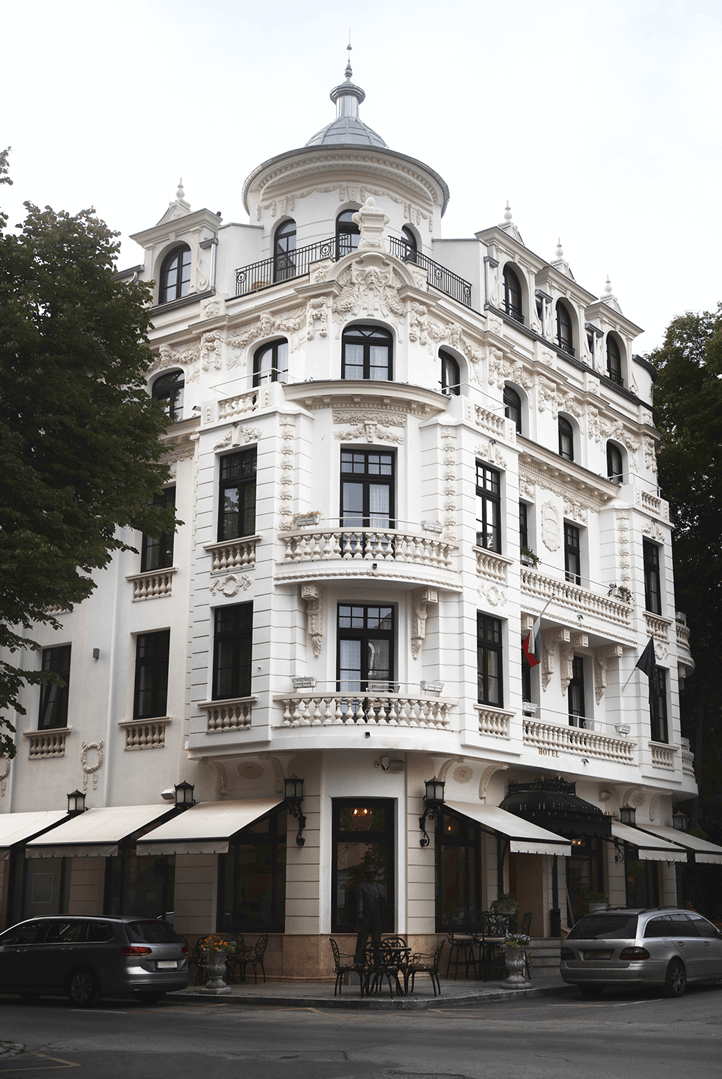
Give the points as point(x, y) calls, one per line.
point(293, 265)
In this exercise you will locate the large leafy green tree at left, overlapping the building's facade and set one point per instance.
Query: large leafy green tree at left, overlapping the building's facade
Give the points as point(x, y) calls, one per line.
point(79, 436)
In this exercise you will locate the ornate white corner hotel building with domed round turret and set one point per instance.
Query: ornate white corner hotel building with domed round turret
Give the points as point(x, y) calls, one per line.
point(389, 453)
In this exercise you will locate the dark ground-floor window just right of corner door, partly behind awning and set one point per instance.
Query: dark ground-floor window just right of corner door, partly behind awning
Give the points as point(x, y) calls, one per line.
point(458, 870)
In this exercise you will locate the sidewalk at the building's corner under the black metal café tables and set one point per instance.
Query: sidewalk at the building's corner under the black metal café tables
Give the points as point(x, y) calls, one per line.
point(321, 994)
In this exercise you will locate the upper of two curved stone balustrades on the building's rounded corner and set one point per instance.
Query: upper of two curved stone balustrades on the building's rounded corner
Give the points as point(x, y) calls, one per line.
point(370, 545)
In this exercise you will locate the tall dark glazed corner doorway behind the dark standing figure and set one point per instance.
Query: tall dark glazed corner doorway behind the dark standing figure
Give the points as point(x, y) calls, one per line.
point(363, 841)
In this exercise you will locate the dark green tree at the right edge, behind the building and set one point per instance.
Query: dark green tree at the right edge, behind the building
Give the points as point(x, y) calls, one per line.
point(688, 400)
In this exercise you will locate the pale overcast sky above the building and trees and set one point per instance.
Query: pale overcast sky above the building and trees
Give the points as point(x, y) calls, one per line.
point(602, 124)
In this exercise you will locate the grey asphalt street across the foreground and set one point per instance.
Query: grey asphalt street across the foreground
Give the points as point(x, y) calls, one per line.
point(624, 1035)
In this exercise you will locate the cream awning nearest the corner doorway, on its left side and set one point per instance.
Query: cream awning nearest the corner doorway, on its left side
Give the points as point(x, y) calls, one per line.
point(207, 828)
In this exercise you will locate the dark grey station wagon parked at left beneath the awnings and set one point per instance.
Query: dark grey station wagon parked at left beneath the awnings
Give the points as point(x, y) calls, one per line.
point(88, 958)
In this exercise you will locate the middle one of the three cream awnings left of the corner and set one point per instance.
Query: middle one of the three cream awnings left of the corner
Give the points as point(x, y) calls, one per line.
point(96, 834)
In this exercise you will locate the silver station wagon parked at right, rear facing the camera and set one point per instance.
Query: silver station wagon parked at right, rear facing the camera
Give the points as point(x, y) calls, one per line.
point(661, 946)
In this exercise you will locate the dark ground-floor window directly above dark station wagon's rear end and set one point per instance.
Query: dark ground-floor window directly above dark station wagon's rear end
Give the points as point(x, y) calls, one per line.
point(140, 884)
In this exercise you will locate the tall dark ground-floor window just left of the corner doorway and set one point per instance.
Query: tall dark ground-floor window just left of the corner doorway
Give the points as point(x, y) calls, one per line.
point(252, 878)
